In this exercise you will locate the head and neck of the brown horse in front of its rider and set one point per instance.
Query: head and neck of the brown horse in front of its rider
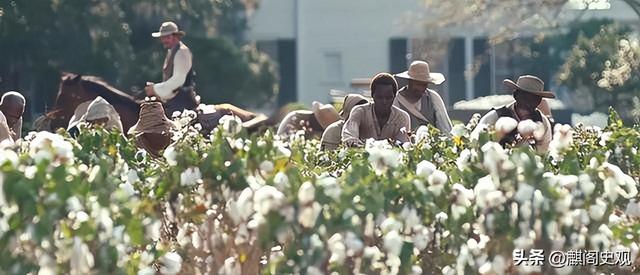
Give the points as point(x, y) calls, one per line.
point(75, 89)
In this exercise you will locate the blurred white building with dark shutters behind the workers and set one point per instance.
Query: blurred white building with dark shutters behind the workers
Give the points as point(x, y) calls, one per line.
point(323, 45)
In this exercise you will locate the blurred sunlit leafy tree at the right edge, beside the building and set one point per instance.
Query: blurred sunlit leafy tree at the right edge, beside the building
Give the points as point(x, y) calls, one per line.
point(604, 69)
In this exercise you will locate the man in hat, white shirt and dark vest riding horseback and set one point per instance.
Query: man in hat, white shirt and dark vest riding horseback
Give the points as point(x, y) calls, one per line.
point(177, 89)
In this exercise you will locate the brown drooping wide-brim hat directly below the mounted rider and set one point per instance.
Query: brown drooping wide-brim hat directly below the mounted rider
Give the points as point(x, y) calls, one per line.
point(152, 120)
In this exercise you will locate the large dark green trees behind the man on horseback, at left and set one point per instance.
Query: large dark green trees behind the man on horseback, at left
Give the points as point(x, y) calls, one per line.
point(111, 39)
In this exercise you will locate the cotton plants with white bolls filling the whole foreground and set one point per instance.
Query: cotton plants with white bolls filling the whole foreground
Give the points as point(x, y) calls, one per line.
point(259, 205)
